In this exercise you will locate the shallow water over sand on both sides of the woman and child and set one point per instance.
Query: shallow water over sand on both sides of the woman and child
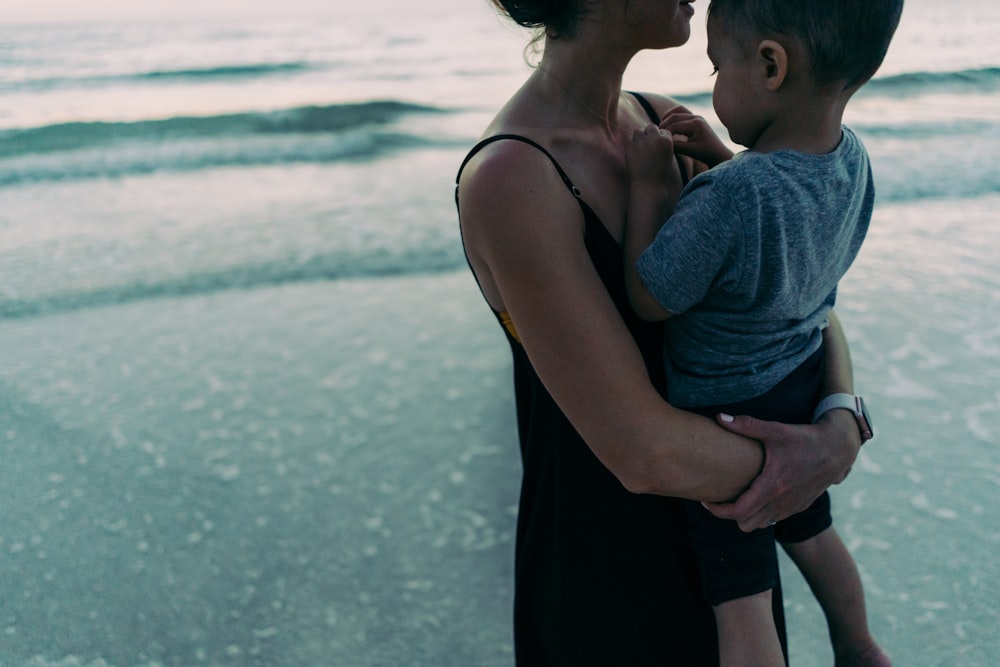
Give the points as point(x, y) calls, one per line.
point(326, 474)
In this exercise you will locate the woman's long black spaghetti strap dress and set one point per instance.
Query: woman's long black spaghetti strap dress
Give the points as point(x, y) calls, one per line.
point(602, 577)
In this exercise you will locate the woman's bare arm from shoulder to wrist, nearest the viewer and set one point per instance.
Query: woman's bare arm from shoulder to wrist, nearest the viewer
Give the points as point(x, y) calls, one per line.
point(524, 235)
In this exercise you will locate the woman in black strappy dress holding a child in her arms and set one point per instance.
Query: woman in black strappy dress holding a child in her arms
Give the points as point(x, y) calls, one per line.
point(603, 574)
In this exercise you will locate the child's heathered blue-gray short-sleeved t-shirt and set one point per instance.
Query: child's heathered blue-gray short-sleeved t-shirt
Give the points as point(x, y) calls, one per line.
point(749, 265)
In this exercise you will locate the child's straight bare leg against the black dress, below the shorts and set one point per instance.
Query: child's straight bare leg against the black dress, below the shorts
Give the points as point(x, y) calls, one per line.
point(747, 635)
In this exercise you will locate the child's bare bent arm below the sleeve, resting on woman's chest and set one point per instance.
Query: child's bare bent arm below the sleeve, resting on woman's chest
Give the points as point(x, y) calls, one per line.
point(654, 188)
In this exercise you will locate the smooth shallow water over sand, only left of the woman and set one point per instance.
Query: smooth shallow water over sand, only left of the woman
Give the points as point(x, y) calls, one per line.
point(303, 475)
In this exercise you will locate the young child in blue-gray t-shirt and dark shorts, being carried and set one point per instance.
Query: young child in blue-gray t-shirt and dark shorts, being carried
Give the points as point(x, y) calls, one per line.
point(746, 269)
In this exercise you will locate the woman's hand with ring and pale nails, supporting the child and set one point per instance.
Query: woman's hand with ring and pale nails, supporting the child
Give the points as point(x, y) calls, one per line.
point(801, 461)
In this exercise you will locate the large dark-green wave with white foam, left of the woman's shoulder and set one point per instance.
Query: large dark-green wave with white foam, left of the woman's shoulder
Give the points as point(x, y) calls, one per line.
point(320, 134)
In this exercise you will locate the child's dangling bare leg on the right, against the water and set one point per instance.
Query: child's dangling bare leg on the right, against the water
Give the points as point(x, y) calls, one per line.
point(833, 577)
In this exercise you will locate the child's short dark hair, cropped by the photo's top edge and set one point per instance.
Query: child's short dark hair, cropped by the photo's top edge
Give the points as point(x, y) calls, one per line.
point(846, 40)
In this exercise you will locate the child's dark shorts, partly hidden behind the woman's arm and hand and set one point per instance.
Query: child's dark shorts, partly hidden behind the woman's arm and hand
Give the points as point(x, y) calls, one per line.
point(734, 564)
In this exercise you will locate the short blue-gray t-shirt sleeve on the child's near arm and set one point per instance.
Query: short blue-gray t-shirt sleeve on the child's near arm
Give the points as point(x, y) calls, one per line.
point(697, 251)
